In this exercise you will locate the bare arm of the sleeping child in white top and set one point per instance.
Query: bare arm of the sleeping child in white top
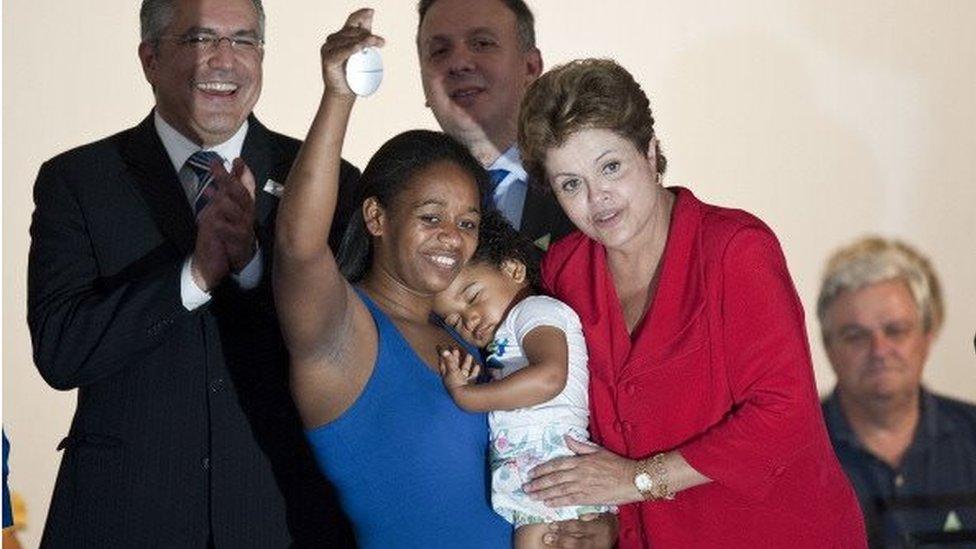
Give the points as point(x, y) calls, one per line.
point(541, 380)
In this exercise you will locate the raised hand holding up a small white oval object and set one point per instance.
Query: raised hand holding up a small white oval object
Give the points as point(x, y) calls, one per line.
point(355, 35)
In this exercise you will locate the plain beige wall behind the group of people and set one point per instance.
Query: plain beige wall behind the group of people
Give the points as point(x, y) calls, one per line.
point(827, 118)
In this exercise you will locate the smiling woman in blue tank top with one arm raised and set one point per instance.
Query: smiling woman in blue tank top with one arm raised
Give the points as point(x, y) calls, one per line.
point(409, 465)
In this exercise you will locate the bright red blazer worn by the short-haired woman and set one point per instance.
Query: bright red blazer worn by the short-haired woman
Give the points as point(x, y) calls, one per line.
point(719, 369)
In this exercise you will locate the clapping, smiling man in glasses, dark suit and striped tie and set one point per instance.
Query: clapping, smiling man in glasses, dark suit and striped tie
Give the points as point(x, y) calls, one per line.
point(149, 292)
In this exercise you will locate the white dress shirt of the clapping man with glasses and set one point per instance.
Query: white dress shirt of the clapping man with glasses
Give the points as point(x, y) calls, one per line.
point(179, 149)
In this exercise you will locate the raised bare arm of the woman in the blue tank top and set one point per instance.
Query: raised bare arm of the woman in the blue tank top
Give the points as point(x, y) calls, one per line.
point(313, 299)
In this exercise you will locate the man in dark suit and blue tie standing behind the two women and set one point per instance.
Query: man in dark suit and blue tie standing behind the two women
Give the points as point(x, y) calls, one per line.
point(477, 57)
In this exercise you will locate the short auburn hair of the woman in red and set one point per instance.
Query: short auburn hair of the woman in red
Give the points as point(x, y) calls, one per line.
point(583, 94)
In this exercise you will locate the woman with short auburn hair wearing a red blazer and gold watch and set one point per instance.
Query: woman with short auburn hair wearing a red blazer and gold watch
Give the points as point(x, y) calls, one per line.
point(701, 385)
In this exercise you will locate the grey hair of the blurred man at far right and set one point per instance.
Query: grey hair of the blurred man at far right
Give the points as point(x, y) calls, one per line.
point(873, 259)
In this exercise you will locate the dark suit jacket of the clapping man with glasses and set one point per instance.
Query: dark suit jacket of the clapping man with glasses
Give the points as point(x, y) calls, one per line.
point(185, 430)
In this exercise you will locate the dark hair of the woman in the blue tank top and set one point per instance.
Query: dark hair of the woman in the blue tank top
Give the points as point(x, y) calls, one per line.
point(386, 176)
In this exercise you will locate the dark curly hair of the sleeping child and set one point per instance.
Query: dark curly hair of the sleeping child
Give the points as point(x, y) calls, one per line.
point(498, 241)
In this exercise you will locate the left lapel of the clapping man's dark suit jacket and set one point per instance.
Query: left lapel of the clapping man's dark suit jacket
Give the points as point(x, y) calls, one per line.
point(157, 181)
